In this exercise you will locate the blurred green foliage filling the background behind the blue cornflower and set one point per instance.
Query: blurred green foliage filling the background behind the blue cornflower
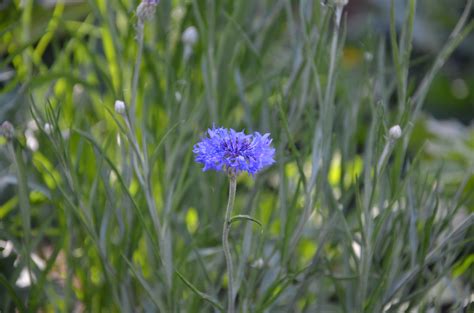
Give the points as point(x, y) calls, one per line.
point(68, 61)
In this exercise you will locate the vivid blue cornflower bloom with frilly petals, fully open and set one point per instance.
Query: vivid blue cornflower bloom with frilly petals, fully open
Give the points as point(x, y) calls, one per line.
point(234, 152)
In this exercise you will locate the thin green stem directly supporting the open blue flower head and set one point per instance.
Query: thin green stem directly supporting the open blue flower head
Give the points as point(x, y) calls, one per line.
point(225, 243)
